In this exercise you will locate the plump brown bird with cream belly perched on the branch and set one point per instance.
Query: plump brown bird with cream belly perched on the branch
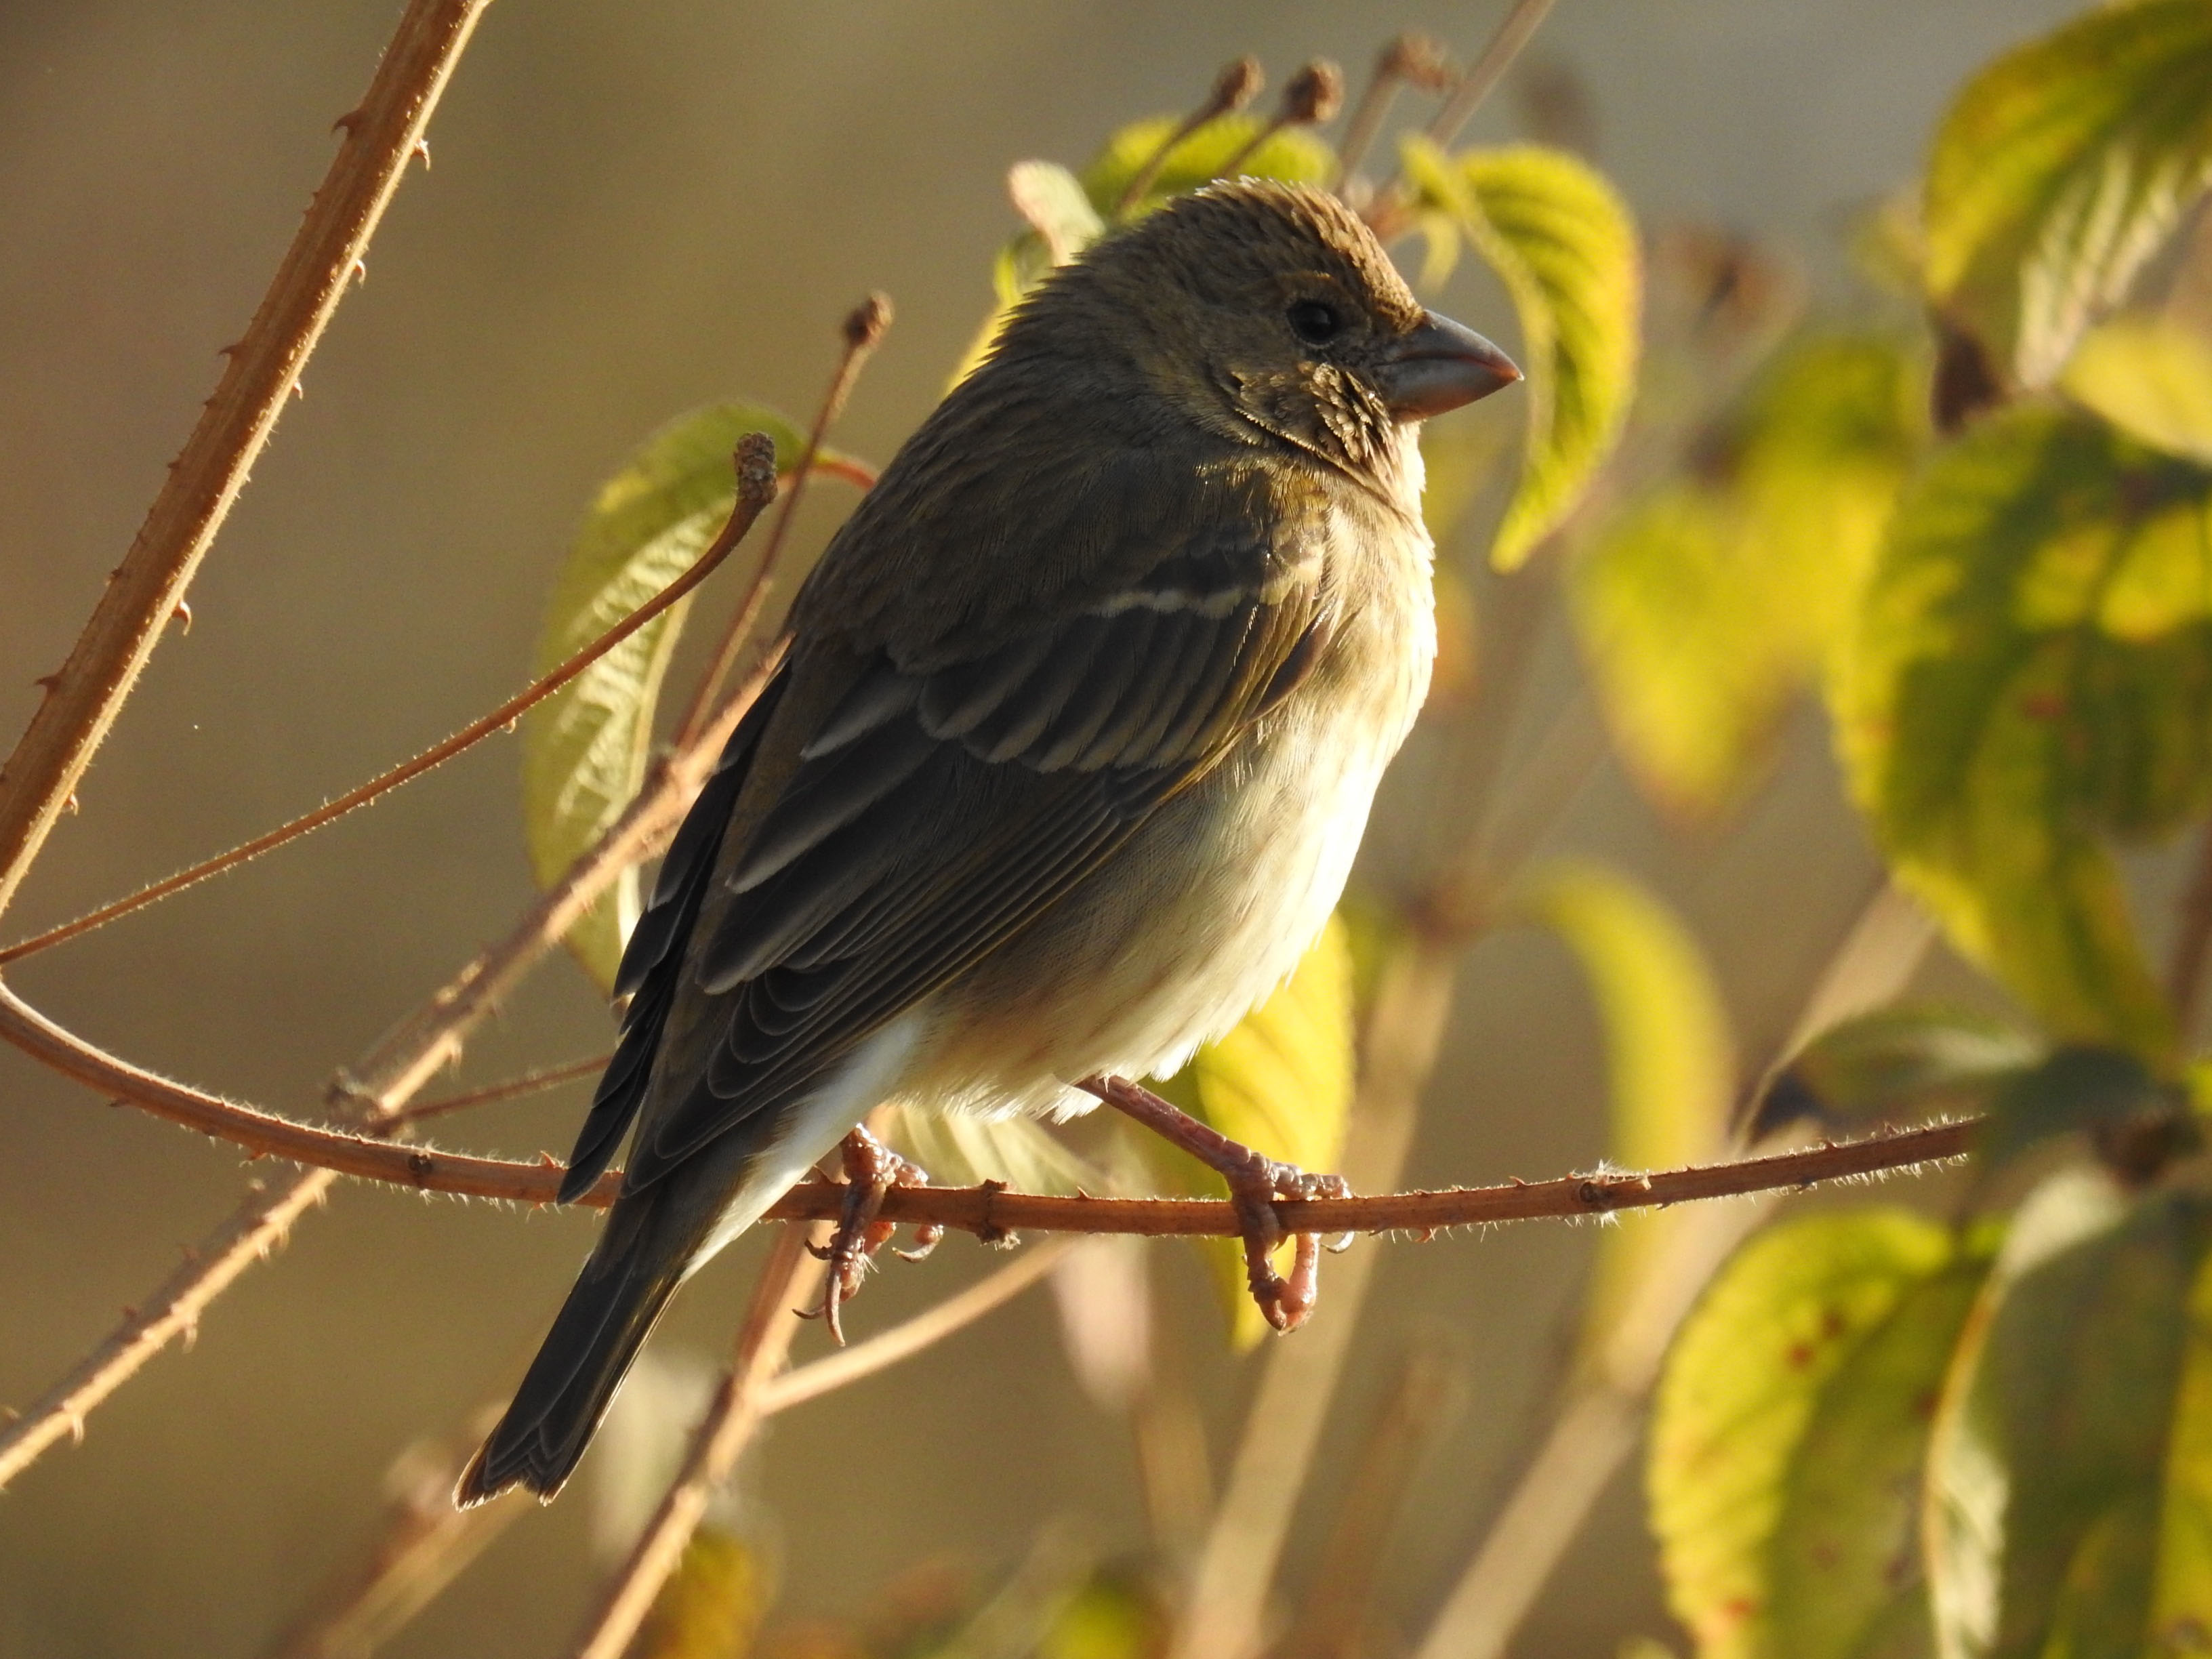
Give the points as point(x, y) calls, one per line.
point(1070, 755)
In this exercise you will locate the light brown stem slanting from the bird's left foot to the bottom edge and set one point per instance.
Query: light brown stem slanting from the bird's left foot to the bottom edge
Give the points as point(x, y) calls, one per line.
point(764, 1344)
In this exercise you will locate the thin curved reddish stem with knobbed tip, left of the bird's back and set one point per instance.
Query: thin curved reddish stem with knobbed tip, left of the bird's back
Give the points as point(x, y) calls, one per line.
point(758, 488)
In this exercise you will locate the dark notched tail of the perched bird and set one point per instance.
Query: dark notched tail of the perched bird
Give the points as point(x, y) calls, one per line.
point(616, 1302)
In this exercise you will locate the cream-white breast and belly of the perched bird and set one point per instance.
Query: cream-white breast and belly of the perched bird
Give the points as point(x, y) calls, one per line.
point(1220, 895)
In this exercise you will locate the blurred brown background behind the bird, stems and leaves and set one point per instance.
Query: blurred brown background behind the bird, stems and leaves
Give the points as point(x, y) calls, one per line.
point(636, 211)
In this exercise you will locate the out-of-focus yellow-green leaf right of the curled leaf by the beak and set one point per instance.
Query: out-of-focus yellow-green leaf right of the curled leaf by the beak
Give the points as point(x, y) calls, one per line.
point(1715, 598)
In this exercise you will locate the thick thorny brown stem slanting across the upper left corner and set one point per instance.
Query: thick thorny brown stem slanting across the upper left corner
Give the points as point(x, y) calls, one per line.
point(85, 696)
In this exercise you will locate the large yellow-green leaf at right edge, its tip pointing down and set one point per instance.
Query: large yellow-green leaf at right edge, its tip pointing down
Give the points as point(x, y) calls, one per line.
point(2032, 674)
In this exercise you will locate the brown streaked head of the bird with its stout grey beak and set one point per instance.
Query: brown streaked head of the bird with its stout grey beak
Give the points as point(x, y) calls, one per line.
point(1271, 309)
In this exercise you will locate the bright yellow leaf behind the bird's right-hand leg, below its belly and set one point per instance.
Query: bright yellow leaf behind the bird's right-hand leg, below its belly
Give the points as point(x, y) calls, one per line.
point(1280, 1083)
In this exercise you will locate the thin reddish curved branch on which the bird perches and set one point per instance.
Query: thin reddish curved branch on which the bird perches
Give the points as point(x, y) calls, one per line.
point(985, 1211)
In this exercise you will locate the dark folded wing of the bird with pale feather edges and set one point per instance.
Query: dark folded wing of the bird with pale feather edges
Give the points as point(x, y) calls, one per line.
point(937, 808)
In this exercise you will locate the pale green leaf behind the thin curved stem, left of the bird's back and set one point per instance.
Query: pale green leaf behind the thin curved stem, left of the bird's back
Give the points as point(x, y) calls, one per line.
point(585, 749)
